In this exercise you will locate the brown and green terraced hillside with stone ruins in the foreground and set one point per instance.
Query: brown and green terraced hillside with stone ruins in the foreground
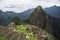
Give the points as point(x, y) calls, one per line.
point(24, 32)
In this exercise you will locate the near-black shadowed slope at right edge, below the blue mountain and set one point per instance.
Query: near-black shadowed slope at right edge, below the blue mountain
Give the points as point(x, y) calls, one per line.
point(56, 27)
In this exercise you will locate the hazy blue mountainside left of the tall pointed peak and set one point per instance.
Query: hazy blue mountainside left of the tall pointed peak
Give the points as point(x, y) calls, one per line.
point(6, 17)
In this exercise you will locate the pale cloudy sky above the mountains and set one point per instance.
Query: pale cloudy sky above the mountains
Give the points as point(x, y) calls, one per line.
point(21, 5)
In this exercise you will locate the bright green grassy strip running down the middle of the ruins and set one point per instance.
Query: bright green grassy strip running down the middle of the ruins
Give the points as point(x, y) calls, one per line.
point(23, 29)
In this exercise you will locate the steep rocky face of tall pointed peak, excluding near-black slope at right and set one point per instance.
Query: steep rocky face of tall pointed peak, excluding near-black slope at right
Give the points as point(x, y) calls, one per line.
point(40, 18)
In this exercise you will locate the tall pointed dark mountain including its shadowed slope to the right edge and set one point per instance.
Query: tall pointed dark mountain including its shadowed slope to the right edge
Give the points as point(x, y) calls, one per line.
point(40, 18)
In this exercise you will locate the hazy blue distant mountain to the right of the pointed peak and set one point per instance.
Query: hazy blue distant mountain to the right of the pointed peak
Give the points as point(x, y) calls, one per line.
point(53, 11)
